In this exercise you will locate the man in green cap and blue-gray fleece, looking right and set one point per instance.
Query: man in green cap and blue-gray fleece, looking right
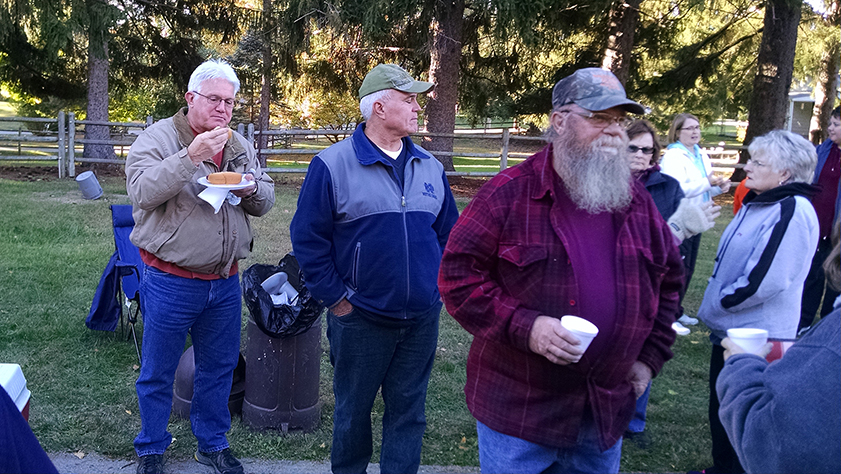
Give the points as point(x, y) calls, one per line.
point(374, 215)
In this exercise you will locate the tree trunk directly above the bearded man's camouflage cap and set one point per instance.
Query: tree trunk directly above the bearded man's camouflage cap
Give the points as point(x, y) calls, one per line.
point(624, 16)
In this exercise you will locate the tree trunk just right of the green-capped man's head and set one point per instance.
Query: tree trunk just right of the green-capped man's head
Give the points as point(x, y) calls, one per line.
point(444, 73)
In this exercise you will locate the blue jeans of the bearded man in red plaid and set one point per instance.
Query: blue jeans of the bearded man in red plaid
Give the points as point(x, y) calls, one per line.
point(500, 453)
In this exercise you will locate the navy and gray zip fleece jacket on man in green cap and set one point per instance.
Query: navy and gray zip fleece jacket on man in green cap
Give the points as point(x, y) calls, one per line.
point(358, 235)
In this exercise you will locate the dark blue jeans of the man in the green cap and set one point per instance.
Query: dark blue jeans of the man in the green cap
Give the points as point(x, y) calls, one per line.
point(365, 357)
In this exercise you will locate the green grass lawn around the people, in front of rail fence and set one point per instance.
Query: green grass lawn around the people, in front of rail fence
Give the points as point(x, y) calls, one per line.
point(53, 247)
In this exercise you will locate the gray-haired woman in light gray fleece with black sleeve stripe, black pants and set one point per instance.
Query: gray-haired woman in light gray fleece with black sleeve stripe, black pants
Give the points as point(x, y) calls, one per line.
point(762, 260)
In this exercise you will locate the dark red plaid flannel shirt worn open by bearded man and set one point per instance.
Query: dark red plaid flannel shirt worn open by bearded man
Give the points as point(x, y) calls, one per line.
point(506, 263)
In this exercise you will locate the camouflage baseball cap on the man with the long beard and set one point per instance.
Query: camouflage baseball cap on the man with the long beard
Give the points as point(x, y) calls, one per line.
point(593, 89)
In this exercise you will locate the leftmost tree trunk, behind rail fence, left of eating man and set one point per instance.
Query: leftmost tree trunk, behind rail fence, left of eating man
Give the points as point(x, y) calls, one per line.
point(98, 68)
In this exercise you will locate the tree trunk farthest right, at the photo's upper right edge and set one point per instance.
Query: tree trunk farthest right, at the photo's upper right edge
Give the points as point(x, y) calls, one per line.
point(826, 85)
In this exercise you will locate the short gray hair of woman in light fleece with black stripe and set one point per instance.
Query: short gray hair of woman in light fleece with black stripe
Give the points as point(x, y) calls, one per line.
point(786, 151)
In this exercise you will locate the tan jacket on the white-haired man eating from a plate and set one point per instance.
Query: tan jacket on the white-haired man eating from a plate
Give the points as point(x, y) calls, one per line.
point(171, 221)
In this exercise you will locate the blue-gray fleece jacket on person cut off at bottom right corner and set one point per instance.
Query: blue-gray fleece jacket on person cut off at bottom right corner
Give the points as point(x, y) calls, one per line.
point(783, 417)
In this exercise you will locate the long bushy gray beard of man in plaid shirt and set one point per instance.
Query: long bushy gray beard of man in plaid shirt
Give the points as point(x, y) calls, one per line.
point(596, 176)
